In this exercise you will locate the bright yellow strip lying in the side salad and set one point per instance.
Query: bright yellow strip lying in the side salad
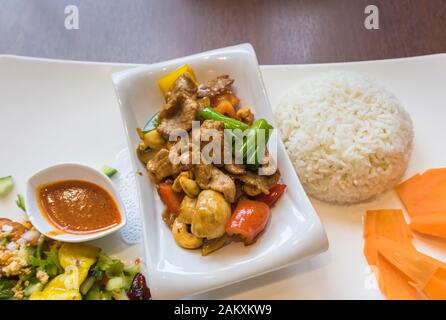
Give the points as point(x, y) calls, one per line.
point(76, 259)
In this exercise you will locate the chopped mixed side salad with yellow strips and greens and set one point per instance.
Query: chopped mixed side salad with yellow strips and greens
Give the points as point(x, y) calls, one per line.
point(35, 267)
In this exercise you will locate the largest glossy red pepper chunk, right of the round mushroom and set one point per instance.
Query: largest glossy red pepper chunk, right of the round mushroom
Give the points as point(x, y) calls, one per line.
point(248, 220)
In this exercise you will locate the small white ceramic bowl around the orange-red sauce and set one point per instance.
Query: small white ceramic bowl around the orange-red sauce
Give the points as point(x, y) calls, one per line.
point(67, 171)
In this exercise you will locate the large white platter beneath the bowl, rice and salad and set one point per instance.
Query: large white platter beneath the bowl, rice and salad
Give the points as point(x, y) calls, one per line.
point(76, 100)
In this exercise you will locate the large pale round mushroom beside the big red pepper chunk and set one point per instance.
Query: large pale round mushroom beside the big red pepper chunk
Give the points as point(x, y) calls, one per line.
point(211, 215)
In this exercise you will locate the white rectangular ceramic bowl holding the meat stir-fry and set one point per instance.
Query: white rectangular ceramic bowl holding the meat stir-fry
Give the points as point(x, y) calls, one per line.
point(294, 231)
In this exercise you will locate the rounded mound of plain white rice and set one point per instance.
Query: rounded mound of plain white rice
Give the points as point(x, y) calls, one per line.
point(348, 138)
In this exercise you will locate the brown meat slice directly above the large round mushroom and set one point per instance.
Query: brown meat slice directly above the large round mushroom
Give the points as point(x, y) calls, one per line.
point(209, 177)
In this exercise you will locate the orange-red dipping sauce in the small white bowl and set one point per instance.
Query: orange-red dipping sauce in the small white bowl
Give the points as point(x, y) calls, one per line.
point(76, 206)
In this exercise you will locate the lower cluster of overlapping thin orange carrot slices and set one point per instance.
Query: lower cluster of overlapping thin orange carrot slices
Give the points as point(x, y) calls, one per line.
point(402, 271)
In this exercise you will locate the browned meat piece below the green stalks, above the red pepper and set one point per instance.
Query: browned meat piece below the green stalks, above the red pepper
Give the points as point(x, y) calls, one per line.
point(255, 184)
